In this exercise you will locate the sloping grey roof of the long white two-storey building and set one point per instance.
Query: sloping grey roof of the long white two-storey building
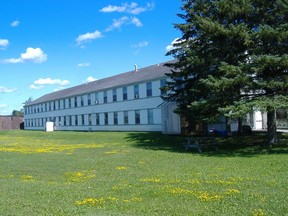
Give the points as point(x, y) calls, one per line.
point(136, 76)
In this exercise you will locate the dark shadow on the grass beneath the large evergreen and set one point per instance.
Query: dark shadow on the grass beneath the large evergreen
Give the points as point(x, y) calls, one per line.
point(237, 146)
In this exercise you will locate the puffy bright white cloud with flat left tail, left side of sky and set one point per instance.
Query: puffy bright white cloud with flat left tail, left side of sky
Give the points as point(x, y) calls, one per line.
point(35, 55)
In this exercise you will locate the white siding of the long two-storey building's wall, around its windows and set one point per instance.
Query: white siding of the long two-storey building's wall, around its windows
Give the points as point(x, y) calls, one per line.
point(37, 115)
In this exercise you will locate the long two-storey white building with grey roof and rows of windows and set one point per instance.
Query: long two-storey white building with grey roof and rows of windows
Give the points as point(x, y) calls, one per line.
point(125, 102)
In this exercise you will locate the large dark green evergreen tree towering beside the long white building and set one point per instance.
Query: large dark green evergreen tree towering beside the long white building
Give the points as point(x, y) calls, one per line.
point(232, 57)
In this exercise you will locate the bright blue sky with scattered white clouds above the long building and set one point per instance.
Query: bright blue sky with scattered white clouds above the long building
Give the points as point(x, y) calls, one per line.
point(48, 45)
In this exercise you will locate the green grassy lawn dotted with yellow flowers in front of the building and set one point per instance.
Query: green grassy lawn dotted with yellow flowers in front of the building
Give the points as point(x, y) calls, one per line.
point(101, 173)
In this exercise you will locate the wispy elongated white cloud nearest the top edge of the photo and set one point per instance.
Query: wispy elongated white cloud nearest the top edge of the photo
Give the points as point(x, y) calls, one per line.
point(132, 8)
